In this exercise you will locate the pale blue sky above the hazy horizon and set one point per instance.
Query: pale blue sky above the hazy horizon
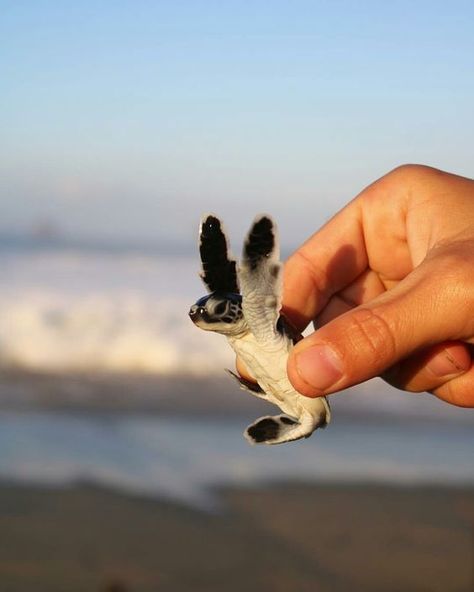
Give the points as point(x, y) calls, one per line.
point(128, 119)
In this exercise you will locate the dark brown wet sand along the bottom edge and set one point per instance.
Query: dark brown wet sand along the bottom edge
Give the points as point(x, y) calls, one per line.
point(285, 537)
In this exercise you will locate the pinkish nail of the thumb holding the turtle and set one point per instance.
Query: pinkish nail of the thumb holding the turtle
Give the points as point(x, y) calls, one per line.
point(319, 366)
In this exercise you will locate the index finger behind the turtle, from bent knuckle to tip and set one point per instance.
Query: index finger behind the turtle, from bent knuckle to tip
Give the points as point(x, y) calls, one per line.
point(367, 233)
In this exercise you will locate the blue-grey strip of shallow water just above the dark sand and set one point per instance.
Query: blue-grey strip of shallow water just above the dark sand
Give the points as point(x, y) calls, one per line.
point(183, 458)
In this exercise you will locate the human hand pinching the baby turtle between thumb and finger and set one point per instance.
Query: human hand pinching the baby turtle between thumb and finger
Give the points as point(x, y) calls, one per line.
point(389, 284)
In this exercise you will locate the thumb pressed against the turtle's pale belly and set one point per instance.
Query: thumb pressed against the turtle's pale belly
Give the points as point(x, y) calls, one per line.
point(422, 310)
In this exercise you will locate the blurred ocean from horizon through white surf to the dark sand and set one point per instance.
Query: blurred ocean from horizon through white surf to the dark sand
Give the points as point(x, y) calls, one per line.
point(80, 311)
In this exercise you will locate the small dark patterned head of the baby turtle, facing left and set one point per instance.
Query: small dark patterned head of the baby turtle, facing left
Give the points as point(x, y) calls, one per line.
point(219, 312)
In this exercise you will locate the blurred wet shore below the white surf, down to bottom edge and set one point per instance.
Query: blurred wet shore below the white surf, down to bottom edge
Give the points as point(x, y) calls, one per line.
point(157, 436)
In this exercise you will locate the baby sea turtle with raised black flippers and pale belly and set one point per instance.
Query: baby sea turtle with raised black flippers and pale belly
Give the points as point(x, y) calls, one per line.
point(250, 319)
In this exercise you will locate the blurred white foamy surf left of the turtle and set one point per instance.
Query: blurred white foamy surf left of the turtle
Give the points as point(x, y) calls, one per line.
point(73, 311)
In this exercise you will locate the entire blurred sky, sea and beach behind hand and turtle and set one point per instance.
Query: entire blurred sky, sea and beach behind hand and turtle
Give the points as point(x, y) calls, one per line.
point(123, 465)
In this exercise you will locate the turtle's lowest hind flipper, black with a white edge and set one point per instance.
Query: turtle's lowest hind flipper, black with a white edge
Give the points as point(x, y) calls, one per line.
point(282, 428)
